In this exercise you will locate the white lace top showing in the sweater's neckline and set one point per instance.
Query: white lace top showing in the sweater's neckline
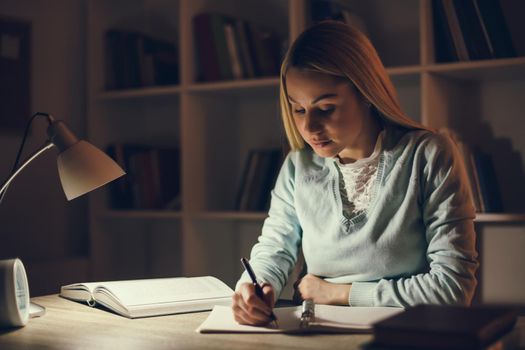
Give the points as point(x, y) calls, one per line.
point(357, 180)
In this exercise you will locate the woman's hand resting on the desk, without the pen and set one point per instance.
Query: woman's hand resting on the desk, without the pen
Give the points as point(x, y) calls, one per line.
point(322, 292)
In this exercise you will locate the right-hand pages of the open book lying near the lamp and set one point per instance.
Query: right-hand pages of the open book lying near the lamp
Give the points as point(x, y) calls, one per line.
point(164, 290)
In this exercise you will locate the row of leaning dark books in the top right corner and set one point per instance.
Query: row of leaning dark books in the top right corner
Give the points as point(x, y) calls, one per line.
point(470, 30)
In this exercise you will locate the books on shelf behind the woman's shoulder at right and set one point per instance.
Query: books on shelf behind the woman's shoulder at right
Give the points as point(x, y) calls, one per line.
point(481, 174)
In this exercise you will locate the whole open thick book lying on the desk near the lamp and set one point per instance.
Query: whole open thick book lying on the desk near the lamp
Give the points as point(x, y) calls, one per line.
point(152, 297)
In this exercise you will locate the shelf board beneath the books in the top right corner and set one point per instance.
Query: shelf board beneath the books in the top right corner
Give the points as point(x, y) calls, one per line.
point(495, 69)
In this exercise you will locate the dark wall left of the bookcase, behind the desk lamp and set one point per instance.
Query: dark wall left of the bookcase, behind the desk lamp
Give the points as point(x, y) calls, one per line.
point(48, 233)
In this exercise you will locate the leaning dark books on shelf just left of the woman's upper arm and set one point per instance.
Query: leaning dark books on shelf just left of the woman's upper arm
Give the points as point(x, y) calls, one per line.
point(258, 179)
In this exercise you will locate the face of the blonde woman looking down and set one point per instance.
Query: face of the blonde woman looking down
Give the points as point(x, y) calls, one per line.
point(327, 112)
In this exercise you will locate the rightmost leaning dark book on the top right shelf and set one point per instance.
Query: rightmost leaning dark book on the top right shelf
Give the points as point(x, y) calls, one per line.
point(496, 27)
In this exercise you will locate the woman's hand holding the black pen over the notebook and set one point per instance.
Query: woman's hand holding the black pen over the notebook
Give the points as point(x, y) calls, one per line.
point(249, 309)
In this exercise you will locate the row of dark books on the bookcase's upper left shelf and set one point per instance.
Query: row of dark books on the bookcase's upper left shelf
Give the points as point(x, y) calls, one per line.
point(136, 60)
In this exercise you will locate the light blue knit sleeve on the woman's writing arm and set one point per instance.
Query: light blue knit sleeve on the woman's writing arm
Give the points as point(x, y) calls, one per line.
point(274, 256)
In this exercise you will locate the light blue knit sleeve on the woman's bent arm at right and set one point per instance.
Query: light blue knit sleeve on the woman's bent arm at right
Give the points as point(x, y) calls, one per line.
point(447, 214)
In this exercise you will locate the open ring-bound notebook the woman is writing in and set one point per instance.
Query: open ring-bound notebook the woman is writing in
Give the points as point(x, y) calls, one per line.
point(328, 318)
